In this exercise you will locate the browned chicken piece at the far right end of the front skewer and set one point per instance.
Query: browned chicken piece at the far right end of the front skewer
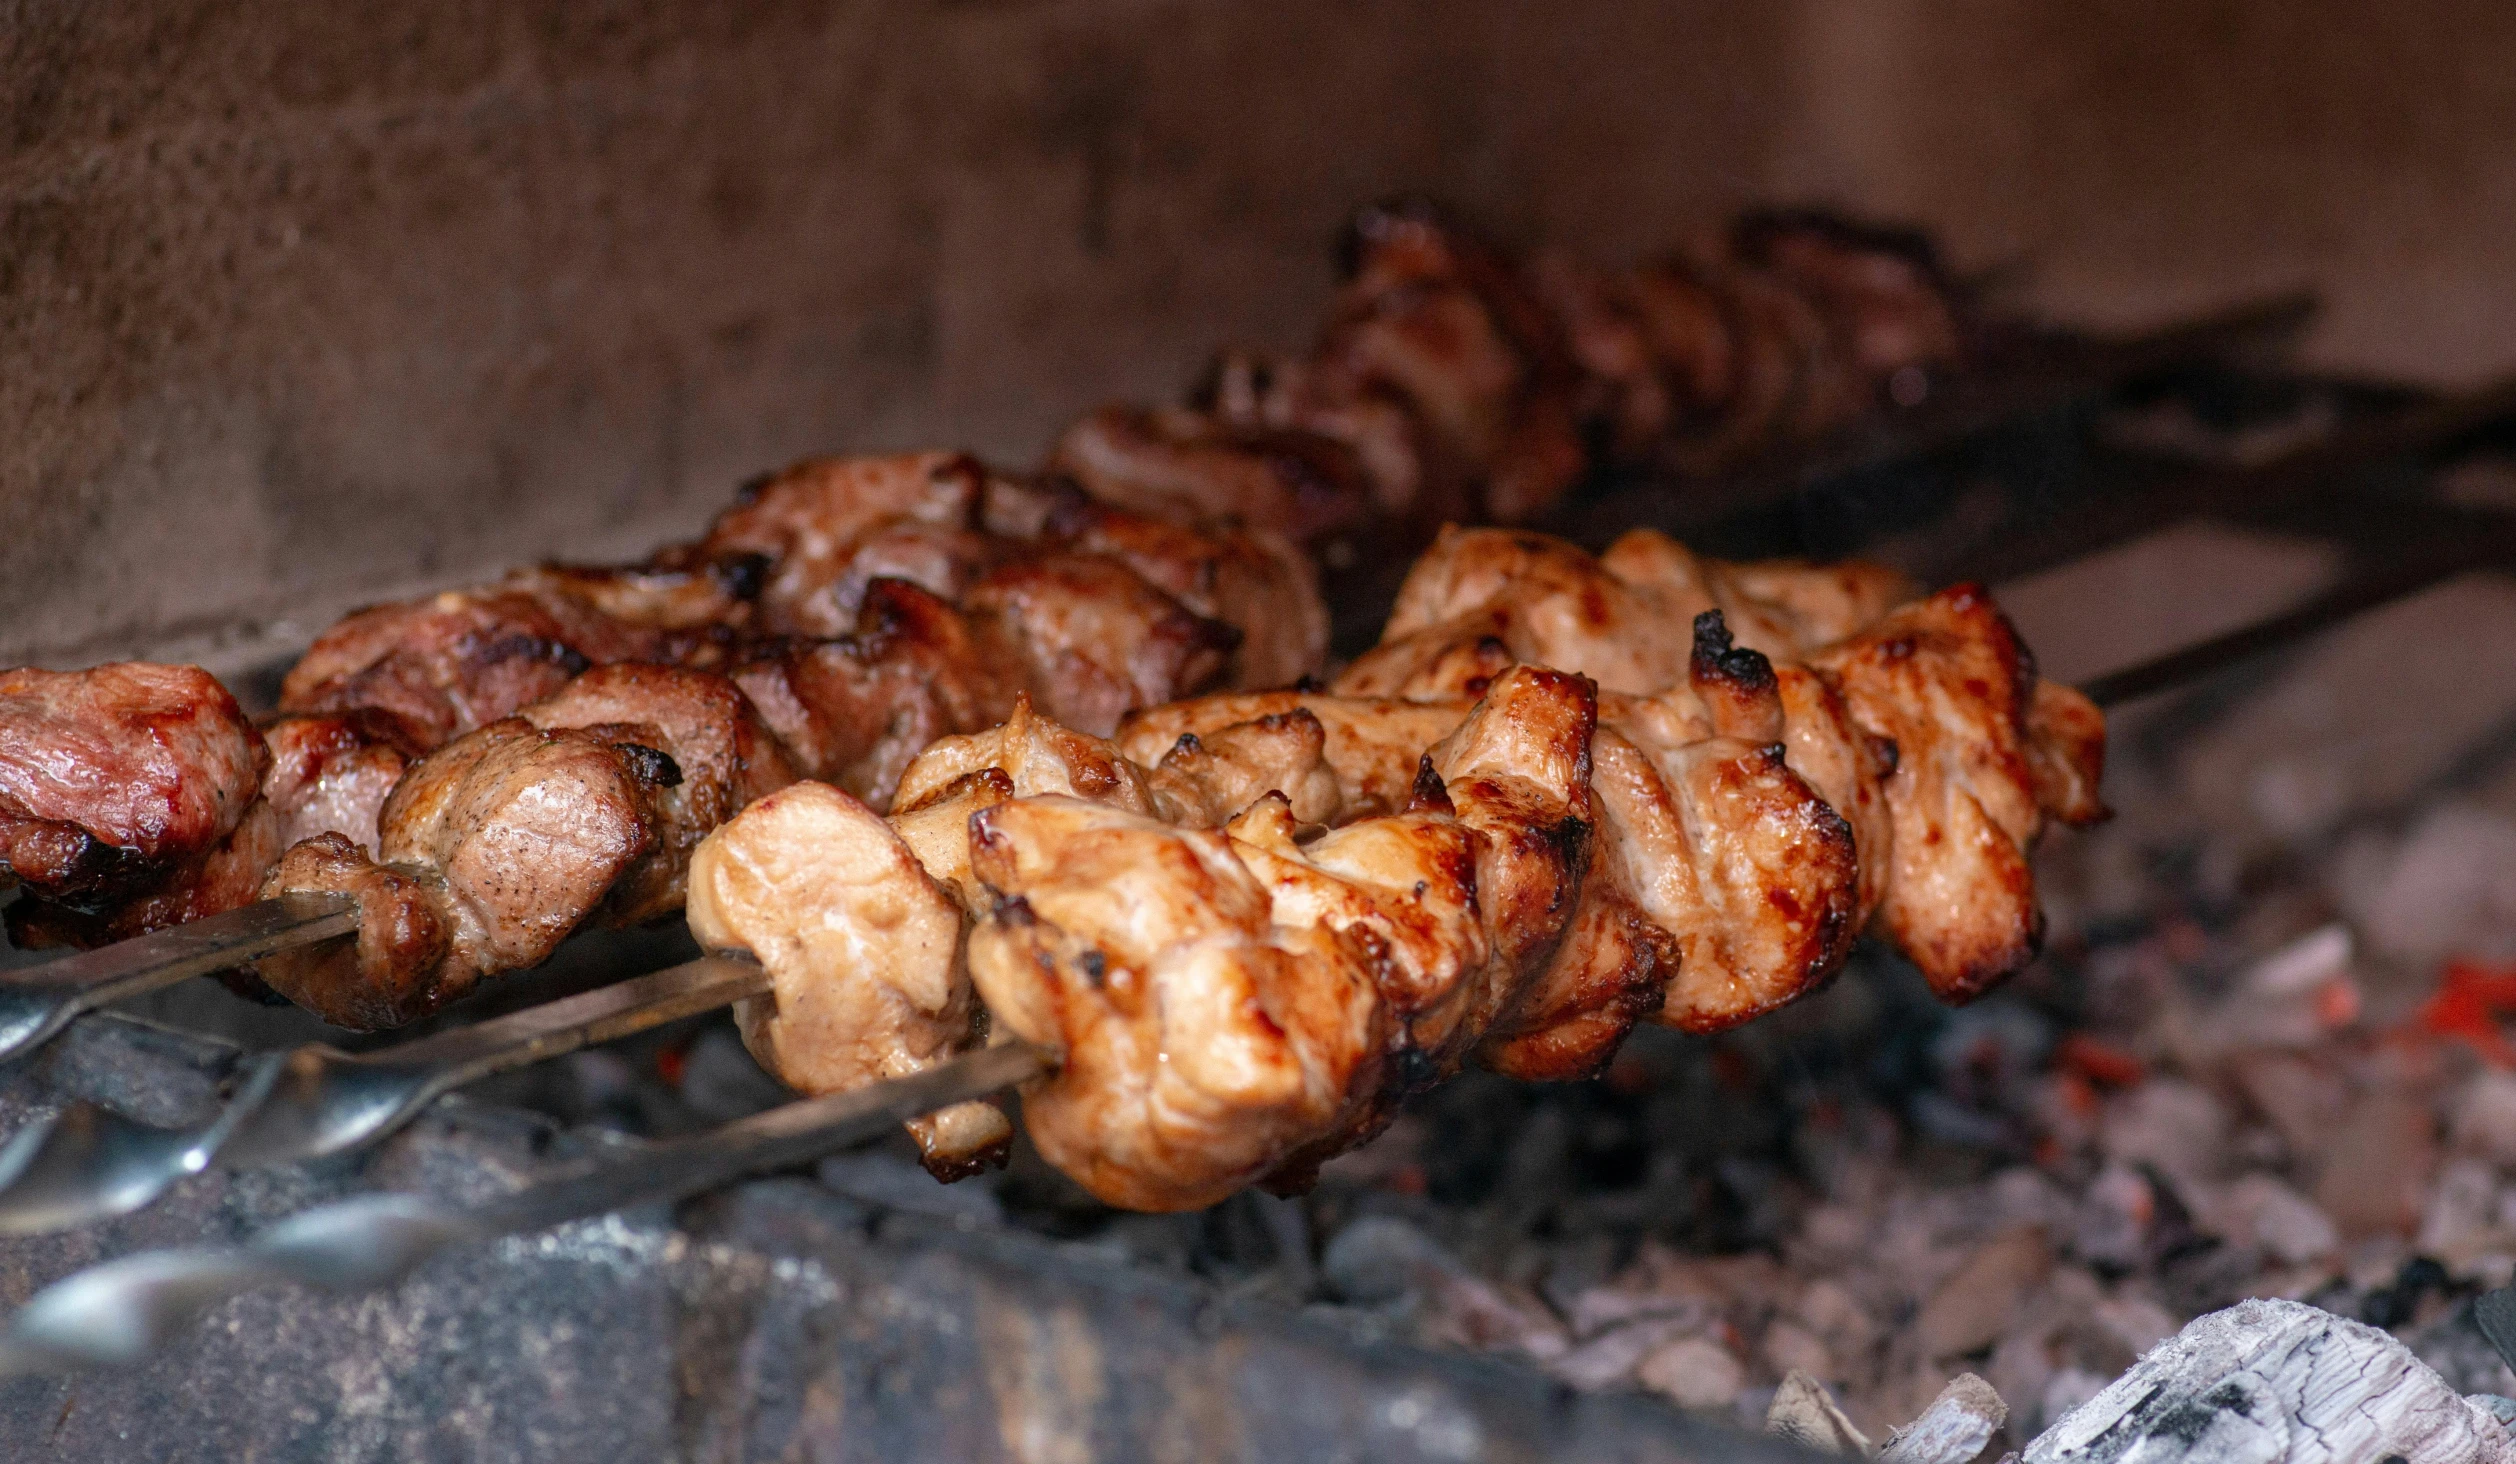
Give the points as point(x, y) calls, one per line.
point(1949, 683)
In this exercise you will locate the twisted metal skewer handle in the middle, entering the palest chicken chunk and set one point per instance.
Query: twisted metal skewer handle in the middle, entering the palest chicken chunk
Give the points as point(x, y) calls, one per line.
point(89, 1163)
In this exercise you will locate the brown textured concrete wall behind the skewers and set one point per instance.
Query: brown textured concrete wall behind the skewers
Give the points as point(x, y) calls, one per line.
point(306, 306)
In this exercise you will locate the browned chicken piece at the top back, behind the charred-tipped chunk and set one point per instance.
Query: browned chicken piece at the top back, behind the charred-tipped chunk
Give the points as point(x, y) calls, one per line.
point(1624, 618)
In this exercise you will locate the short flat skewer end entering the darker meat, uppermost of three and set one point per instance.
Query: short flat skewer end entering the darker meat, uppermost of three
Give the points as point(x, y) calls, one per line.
point(39, 1002)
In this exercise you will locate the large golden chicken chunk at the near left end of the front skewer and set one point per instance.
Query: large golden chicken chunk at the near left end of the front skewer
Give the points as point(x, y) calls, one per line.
point(1199, 1040)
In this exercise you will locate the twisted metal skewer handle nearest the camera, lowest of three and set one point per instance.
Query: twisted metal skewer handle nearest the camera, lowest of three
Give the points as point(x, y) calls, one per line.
point(122, 1312)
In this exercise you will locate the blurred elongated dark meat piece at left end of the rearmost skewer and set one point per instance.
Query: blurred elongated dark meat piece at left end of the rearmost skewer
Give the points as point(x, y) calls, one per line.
point(1194, 467)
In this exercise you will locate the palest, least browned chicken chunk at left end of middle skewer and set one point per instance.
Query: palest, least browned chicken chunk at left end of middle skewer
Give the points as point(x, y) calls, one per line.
point(864, 957)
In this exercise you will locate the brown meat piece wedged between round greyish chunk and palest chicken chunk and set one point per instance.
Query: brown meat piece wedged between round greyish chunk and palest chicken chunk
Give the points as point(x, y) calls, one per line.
point(723, 756)
